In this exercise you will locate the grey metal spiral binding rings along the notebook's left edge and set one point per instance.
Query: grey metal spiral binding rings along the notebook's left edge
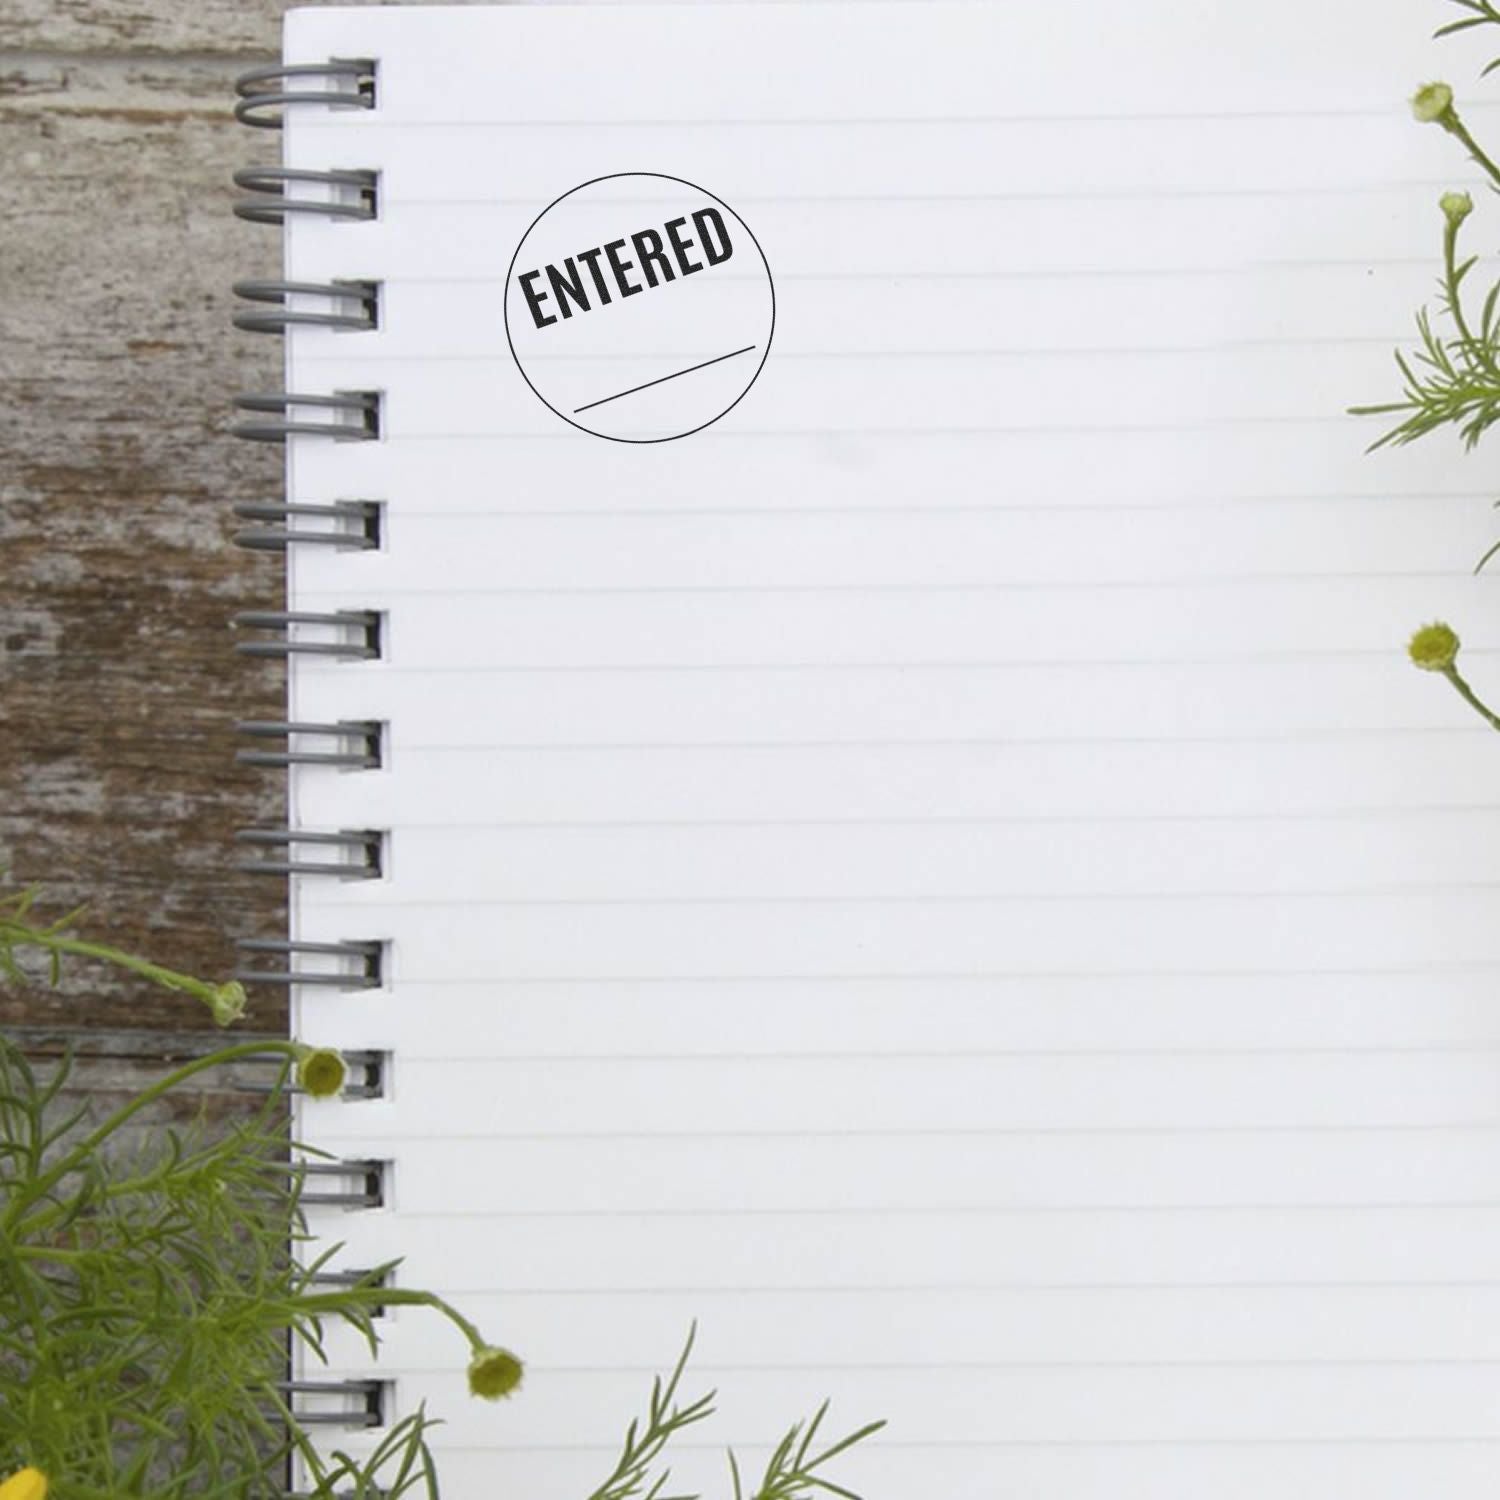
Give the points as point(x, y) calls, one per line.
point(275, 194)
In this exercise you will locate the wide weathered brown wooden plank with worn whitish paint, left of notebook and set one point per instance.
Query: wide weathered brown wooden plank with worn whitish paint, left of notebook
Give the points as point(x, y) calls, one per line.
point(118, 680)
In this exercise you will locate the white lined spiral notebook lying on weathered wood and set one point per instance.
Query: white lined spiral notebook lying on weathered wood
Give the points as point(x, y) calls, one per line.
point(853, 764)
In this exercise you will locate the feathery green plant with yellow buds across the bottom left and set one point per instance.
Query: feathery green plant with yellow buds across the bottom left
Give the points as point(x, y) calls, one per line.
point(146, 1301)
